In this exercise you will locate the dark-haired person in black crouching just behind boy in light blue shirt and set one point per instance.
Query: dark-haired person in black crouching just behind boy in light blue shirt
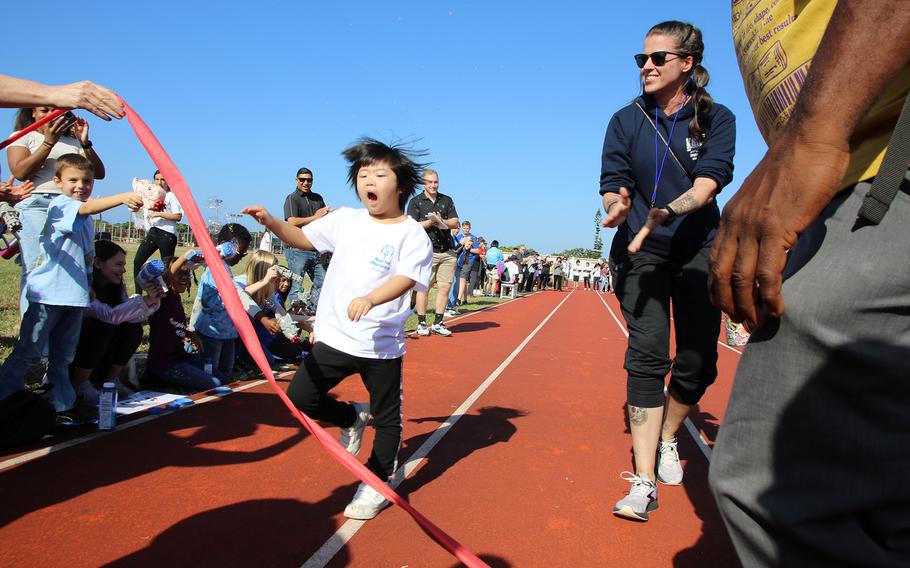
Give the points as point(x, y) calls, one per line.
point(111, 327)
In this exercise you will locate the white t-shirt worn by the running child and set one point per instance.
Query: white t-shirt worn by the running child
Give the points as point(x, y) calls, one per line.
point(366, 255)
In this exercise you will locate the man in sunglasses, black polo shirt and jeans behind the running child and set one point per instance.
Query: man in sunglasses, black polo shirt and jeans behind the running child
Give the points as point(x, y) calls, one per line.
point(302, 207)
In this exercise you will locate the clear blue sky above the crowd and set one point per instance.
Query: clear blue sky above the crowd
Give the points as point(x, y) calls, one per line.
point(510, 98)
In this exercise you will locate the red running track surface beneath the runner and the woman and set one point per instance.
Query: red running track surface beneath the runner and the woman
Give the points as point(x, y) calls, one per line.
point(526, 477)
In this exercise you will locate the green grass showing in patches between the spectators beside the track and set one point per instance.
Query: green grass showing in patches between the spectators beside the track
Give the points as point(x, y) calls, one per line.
point(9, 298)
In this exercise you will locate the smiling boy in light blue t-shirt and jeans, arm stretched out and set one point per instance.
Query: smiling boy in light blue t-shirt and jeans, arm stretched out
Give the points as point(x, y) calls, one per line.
point(58, 287)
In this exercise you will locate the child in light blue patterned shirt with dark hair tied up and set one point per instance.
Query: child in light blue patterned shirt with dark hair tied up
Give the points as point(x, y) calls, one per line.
point(210, 319)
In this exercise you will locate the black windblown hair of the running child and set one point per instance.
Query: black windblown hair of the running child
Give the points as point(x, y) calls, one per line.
point(368, 151)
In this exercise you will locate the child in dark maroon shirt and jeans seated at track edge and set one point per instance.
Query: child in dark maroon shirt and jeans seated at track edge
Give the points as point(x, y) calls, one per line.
point(173, 350)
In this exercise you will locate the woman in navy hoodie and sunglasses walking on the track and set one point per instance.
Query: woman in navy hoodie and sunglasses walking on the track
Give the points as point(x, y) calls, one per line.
point(665, 157)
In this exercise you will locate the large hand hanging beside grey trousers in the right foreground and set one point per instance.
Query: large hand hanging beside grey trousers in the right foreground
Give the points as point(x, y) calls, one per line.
point(777, 202)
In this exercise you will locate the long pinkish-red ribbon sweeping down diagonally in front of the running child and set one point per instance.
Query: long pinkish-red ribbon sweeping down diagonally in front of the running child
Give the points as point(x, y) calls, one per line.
point(232, 303)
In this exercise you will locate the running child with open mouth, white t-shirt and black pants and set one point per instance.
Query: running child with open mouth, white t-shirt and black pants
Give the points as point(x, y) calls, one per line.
point(379, 255)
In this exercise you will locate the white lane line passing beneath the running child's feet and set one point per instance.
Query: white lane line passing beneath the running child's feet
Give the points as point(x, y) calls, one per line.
point(337, 541)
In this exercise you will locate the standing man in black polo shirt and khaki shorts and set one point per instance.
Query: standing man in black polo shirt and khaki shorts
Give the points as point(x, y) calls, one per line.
point(436, 213)
